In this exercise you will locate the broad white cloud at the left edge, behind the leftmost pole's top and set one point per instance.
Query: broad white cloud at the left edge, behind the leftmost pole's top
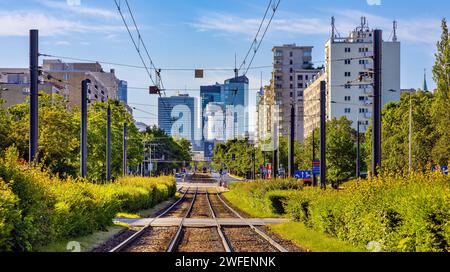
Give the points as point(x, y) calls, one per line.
point(18, 23)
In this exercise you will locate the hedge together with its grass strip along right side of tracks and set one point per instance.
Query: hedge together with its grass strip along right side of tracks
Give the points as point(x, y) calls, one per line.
point(390, 213)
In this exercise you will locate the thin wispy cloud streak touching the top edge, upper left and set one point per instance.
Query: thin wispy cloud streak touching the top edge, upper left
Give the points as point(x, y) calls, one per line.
point(80, 9)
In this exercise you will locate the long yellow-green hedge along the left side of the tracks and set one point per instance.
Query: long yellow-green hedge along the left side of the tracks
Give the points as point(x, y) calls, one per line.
point(37, 208)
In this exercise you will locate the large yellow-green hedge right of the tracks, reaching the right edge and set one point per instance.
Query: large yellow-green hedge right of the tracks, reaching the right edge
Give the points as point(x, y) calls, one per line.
point(400, 213)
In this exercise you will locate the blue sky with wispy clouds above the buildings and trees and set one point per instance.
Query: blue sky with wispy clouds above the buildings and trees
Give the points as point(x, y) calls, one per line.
point(208, 33)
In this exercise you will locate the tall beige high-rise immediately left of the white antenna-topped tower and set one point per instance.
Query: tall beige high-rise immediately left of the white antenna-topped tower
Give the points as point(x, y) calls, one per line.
point(292, 69)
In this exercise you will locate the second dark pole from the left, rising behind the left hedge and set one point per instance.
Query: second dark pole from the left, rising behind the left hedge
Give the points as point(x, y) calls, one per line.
point(84, 102)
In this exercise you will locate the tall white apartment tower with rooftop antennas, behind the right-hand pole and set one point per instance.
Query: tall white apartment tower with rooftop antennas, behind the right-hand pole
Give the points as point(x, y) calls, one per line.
point(346, 60)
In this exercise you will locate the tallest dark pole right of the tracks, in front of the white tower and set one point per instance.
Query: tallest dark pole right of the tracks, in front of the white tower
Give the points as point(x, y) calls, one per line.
point(376, 133)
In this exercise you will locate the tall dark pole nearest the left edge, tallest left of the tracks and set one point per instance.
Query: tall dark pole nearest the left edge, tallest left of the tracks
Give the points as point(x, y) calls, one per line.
point(34, 103)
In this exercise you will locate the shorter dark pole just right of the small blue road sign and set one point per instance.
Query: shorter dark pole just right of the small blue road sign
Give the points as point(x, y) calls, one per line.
point(323, 133)
